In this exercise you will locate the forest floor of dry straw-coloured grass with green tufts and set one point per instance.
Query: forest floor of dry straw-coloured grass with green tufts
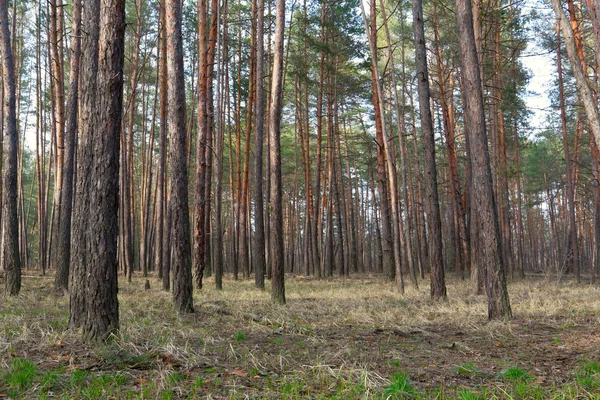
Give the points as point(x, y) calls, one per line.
point(342, 338)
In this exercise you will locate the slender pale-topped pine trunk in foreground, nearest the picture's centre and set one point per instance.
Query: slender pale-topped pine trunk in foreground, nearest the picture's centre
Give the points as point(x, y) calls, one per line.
point(276, 240)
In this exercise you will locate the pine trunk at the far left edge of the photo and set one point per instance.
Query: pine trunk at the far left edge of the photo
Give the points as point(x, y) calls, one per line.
point(11, 260)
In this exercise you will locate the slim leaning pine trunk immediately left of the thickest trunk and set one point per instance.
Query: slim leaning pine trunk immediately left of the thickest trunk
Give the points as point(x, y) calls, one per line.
point(63, 247)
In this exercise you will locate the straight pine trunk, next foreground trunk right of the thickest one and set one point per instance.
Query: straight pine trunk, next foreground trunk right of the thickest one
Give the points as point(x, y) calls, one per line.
point(180, 225)
